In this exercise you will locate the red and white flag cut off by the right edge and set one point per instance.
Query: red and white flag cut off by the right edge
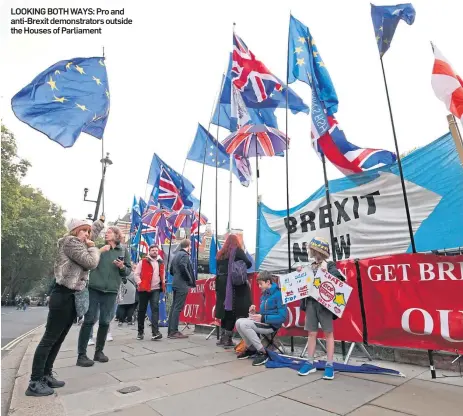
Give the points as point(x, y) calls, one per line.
point(447, 85)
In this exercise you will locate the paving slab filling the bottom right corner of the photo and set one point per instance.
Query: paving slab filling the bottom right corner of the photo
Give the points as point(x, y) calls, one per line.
point(422, 398)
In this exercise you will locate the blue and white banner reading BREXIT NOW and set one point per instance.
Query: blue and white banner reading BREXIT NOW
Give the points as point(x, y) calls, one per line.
point(368, 211)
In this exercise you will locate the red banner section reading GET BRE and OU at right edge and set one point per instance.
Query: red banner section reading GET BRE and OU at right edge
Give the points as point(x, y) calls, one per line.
point(414, 300)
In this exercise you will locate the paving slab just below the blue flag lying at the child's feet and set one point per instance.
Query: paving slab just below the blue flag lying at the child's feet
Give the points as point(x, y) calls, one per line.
point(341, 395)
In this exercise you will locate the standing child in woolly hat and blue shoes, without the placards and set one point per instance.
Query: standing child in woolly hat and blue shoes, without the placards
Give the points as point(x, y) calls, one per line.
point(316, 313)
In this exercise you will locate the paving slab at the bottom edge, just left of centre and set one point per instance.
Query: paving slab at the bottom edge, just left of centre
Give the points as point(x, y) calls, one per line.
point(206, 401)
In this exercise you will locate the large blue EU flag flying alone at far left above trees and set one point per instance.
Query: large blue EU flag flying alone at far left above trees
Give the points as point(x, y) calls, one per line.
point(66, 99)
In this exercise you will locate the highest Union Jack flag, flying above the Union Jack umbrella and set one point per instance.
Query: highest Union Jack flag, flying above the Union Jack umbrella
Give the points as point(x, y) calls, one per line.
point(251, 76)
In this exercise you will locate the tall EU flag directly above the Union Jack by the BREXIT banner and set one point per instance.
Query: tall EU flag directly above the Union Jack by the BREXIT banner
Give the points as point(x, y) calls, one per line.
point(305, 64)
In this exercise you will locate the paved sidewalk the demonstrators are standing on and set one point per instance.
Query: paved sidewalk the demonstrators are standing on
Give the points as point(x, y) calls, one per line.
point(194, 377)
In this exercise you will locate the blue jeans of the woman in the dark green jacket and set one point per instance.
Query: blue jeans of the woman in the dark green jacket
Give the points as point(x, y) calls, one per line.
point(104, 304)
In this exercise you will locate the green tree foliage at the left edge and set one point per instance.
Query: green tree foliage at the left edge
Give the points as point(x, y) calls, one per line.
point(31, 225)
